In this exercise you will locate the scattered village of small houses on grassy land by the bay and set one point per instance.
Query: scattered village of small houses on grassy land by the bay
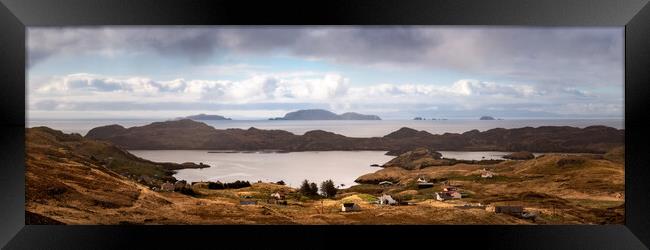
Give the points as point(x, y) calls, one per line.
point(444, 195)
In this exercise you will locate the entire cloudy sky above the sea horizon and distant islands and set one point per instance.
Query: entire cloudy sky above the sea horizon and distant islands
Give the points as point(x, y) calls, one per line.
point(261, 72)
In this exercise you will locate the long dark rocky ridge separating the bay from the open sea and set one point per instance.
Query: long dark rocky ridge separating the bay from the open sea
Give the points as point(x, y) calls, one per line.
point(188, 134)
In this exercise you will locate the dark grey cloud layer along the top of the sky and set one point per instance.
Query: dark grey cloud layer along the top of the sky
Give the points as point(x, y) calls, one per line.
point(545, 55)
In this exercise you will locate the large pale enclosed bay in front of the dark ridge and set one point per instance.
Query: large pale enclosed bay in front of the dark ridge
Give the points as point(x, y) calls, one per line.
point(343, 167)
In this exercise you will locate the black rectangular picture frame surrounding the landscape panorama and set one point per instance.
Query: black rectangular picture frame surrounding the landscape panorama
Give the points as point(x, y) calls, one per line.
point(16, 15)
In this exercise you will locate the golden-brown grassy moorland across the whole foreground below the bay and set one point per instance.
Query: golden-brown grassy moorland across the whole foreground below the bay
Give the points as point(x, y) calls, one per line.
point(69, 181)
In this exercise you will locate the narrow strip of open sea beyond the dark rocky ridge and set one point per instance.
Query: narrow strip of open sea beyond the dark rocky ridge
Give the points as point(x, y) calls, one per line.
point(347, 128)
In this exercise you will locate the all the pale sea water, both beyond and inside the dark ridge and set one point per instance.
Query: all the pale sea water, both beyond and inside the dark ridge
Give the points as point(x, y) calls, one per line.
point(343, 167)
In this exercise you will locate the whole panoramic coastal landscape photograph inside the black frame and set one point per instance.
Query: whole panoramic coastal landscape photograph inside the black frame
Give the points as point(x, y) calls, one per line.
point(319, 125)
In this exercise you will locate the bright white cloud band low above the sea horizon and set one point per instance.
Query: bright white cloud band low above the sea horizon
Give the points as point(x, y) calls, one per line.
point(289, 91)
